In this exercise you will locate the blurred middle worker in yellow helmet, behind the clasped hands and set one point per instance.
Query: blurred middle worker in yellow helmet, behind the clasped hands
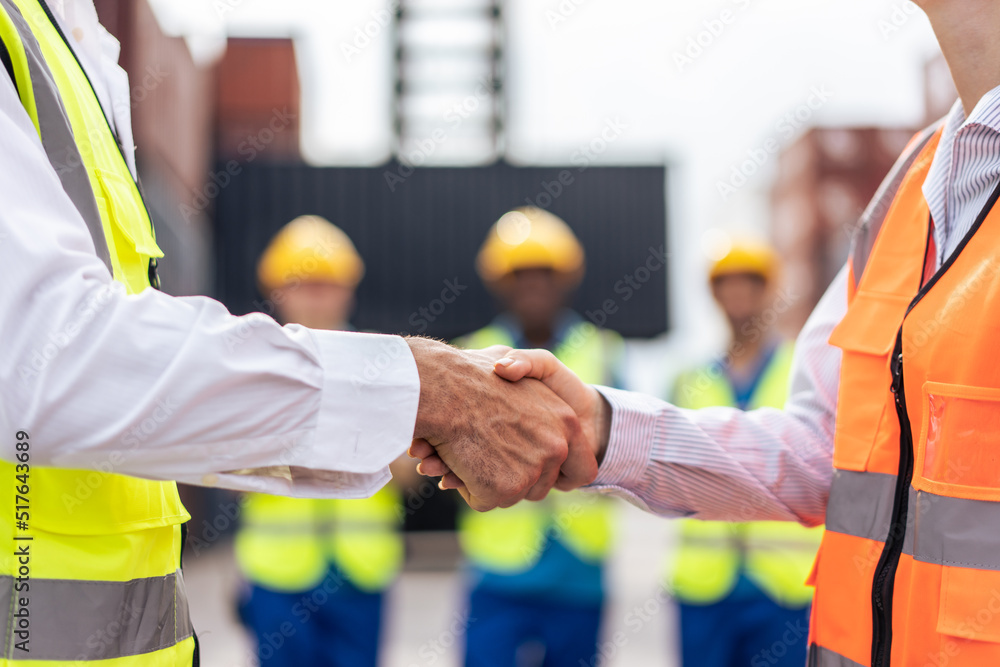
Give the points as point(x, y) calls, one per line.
point(537, 568)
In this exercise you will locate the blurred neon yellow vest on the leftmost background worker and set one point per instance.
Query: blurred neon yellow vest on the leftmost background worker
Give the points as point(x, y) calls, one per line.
point(287, 544)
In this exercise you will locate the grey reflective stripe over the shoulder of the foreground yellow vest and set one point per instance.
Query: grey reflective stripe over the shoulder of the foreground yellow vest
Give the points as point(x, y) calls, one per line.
point(57, 135)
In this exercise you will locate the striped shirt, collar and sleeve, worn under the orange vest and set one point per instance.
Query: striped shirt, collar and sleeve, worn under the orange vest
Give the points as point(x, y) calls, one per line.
point(722, 463)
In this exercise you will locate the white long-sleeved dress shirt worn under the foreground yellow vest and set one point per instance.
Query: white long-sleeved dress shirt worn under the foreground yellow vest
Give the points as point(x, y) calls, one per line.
point(164, 387)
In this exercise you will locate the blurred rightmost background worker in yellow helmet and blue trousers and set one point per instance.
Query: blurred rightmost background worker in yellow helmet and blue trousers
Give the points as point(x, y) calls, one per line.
point(740, 585)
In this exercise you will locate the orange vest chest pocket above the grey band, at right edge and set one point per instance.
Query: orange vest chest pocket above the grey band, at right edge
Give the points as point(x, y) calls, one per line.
point(958, 451)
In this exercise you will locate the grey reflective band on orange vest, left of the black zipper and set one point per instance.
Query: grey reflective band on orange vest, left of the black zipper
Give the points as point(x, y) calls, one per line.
point(861, 504)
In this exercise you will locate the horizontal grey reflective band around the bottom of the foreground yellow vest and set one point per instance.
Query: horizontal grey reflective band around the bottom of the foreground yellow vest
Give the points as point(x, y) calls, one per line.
point(71, 620)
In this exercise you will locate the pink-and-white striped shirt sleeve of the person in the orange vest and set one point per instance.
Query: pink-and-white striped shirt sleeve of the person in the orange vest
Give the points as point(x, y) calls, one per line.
point(722, 463)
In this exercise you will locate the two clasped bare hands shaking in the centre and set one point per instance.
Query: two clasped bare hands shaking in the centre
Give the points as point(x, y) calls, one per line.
point(504, 425)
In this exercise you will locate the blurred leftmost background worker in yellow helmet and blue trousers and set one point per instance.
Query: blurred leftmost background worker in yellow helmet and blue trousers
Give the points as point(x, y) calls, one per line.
point(339, 555)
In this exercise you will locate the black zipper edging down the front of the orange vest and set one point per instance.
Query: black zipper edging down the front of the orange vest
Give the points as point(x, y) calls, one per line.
point(885, 572)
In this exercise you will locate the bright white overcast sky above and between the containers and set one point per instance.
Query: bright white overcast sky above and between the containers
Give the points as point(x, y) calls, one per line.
point(699, 86)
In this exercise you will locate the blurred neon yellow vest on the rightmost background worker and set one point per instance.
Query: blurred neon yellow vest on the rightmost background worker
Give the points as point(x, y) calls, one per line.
point(775, 555)
